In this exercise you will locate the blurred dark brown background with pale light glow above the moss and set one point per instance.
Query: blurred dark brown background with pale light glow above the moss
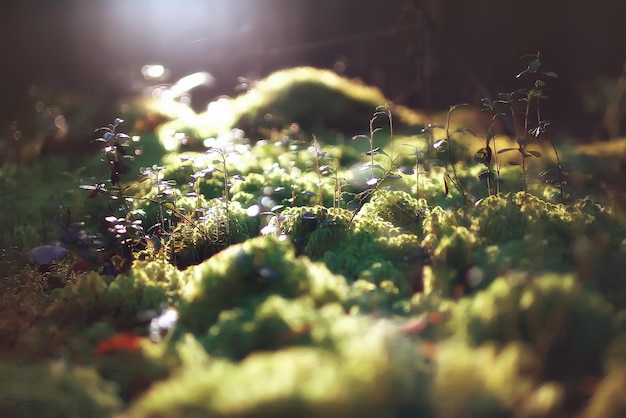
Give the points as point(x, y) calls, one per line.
point(427, 54)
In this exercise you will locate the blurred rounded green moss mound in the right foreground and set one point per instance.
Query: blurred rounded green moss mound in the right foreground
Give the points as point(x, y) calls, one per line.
point(554, 314)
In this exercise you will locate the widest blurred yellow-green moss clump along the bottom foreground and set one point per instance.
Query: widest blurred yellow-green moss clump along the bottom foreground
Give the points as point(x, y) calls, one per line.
point(372, 371)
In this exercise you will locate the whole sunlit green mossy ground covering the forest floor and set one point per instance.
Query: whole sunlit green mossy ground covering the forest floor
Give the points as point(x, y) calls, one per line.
point(283, 281)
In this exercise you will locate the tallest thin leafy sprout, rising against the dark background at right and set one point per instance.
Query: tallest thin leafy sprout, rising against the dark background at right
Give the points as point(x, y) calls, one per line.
point(530, 100)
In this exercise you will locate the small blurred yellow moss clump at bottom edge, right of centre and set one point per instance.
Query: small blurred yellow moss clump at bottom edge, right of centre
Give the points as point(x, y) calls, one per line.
point(491, 381)
